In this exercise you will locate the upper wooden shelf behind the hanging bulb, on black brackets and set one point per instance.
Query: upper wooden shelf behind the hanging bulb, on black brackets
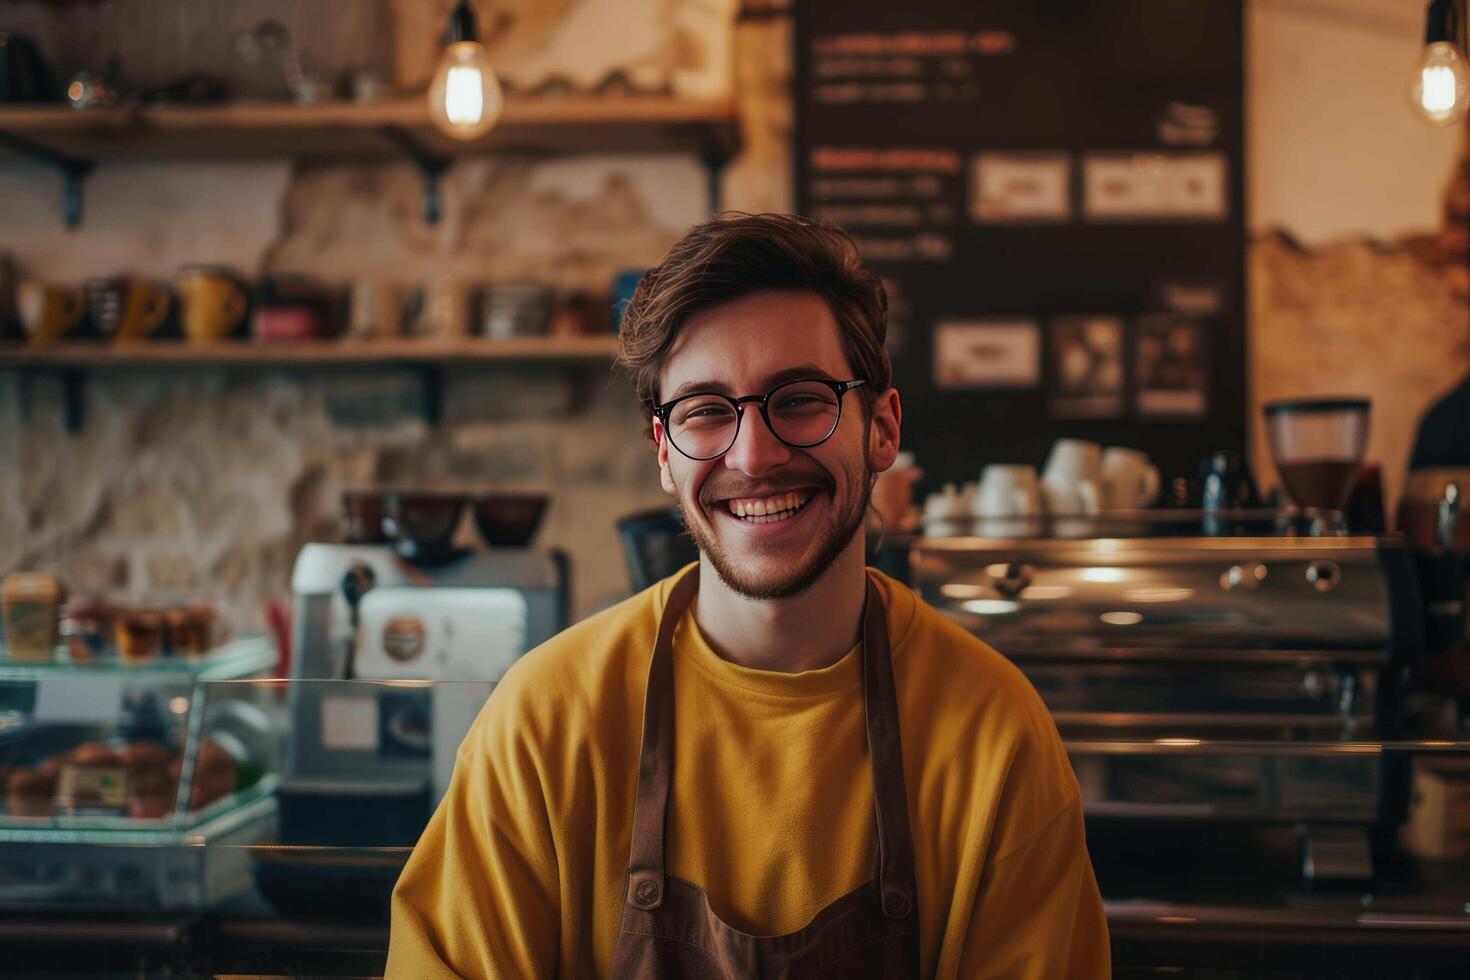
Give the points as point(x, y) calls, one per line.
point(574, 124)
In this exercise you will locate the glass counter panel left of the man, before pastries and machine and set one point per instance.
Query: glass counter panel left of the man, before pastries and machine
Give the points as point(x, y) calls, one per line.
point(198, 785)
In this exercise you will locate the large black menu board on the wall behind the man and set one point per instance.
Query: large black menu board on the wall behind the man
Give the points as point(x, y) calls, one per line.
point(1053, 195)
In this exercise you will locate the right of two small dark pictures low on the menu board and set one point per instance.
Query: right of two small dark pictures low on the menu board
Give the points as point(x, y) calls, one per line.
point(1171, 367)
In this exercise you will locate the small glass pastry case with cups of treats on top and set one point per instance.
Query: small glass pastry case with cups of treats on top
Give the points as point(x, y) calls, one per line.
point(126, 754)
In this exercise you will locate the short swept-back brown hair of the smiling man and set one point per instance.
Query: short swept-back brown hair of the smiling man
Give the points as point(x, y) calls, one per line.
point(737, 255)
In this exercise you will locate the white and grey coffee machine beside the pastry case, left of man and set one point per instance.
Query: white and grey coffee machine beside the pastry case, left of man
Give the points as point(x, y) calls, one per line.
point(392, 663)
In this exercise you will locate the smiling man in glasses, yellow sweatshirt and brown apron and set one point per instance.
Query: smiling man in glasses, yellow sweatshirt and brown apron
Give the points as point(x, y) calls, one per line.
point(775, 763)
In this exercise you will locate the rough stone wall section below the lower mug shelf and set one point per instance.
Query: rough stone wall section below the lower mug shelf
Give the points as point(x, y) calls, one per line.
point(211, 484)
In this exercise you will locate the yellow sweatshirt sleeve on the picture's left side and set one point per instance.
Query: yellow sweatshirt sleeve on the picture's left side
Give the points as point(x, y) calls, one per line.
point(480, 894)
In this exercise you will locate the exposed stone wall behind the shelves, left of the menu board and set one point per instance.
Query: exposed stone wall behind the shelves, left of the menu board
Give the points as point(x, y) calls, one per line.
point(209, 481)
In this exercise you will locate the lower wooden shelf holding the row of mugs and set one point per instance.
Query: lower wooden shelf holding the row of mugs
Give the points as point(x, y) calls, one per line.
point(82, 356)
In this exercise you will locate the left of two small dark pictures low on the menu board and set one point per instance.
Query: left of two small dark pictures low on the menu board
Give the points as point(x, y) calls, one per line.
point(1087, 368)
